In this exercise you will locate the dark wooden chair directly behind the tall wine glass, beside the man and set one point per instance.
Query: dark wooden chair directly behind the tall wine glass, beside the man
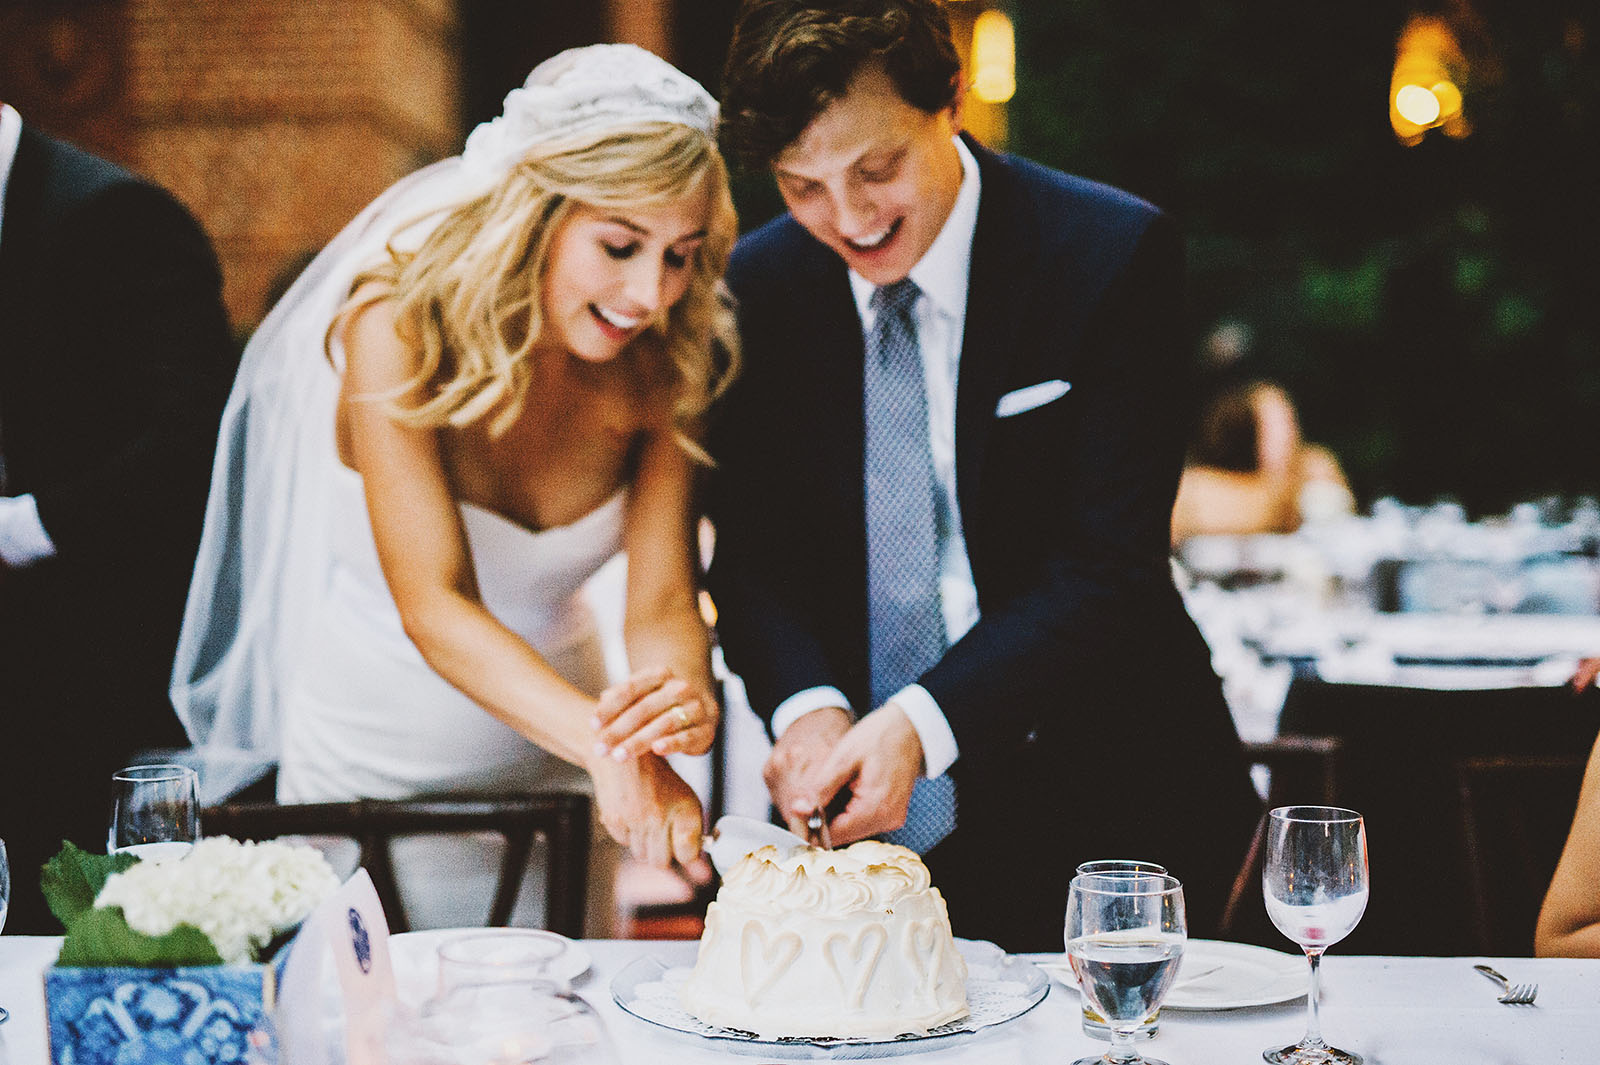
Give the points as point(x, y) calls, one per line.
point(1303, 772)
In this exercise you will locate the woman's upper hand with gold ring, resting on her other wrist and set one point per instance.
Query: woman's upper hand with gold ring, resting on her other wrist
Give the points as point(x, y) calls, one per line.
point(655, 711)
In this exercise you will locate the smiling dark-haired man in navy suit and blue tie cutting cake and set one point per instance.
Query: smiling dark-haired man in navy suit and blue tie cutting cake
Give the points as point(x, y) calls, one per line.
point(946, 481)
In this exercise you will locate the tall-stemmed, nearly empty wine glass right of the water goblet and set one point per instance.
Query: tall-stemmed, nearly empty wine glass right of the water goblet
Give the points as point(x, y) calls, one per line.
point(1314, 882)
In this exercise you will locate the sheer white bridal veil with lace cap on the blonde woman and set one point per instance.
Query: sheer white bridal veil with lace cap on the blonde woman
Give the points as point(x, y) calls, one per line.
point(265, 551)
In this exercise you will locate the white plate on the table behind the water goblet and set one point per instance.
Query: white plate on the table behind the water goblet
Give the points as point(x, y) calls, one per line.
point(1226, 976)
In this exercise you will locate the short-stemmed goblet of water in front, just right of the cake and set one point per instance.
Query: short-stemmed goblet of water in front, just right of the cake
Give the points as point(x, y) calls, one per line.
point(1126, 938)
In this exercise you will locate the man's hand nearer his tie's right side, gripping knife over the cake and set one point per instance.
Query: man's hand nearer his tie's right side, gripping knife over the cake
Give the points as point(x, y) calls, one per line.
point(881, 760)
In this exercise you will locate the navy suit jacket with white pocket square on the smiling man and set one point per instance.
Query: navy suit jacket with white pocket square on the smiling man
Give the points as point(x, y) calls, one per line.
point(1084, 642)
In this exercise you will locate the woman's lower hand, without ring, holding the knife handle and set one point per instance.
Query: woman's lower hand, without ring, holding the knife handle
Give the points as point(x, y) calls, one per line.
point(649, 808)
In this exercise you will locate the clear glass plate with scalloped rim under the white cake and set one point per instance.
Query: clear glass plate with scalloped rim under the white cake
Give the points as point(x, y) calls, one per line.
point(999, 987)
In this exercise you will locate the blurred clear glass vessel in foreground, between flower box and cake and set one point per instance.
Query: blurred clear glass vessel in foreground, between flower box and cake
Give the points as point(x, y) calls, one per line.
point(502, 1003)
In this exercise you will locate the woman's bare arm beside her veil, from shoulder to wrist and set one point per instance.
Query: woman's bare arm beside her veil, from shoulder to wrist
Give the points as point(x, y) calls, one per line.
point(425, 556)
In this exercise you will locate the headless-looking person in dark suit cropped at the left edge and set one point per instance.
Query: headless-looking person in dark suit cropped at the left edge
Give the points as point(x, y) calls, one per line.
point(114, 364)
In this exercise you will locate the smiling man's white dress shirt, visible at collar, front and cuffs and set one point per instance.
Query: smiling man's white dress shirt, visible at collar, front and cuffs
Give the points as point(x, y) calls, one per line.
point(940, 313)
